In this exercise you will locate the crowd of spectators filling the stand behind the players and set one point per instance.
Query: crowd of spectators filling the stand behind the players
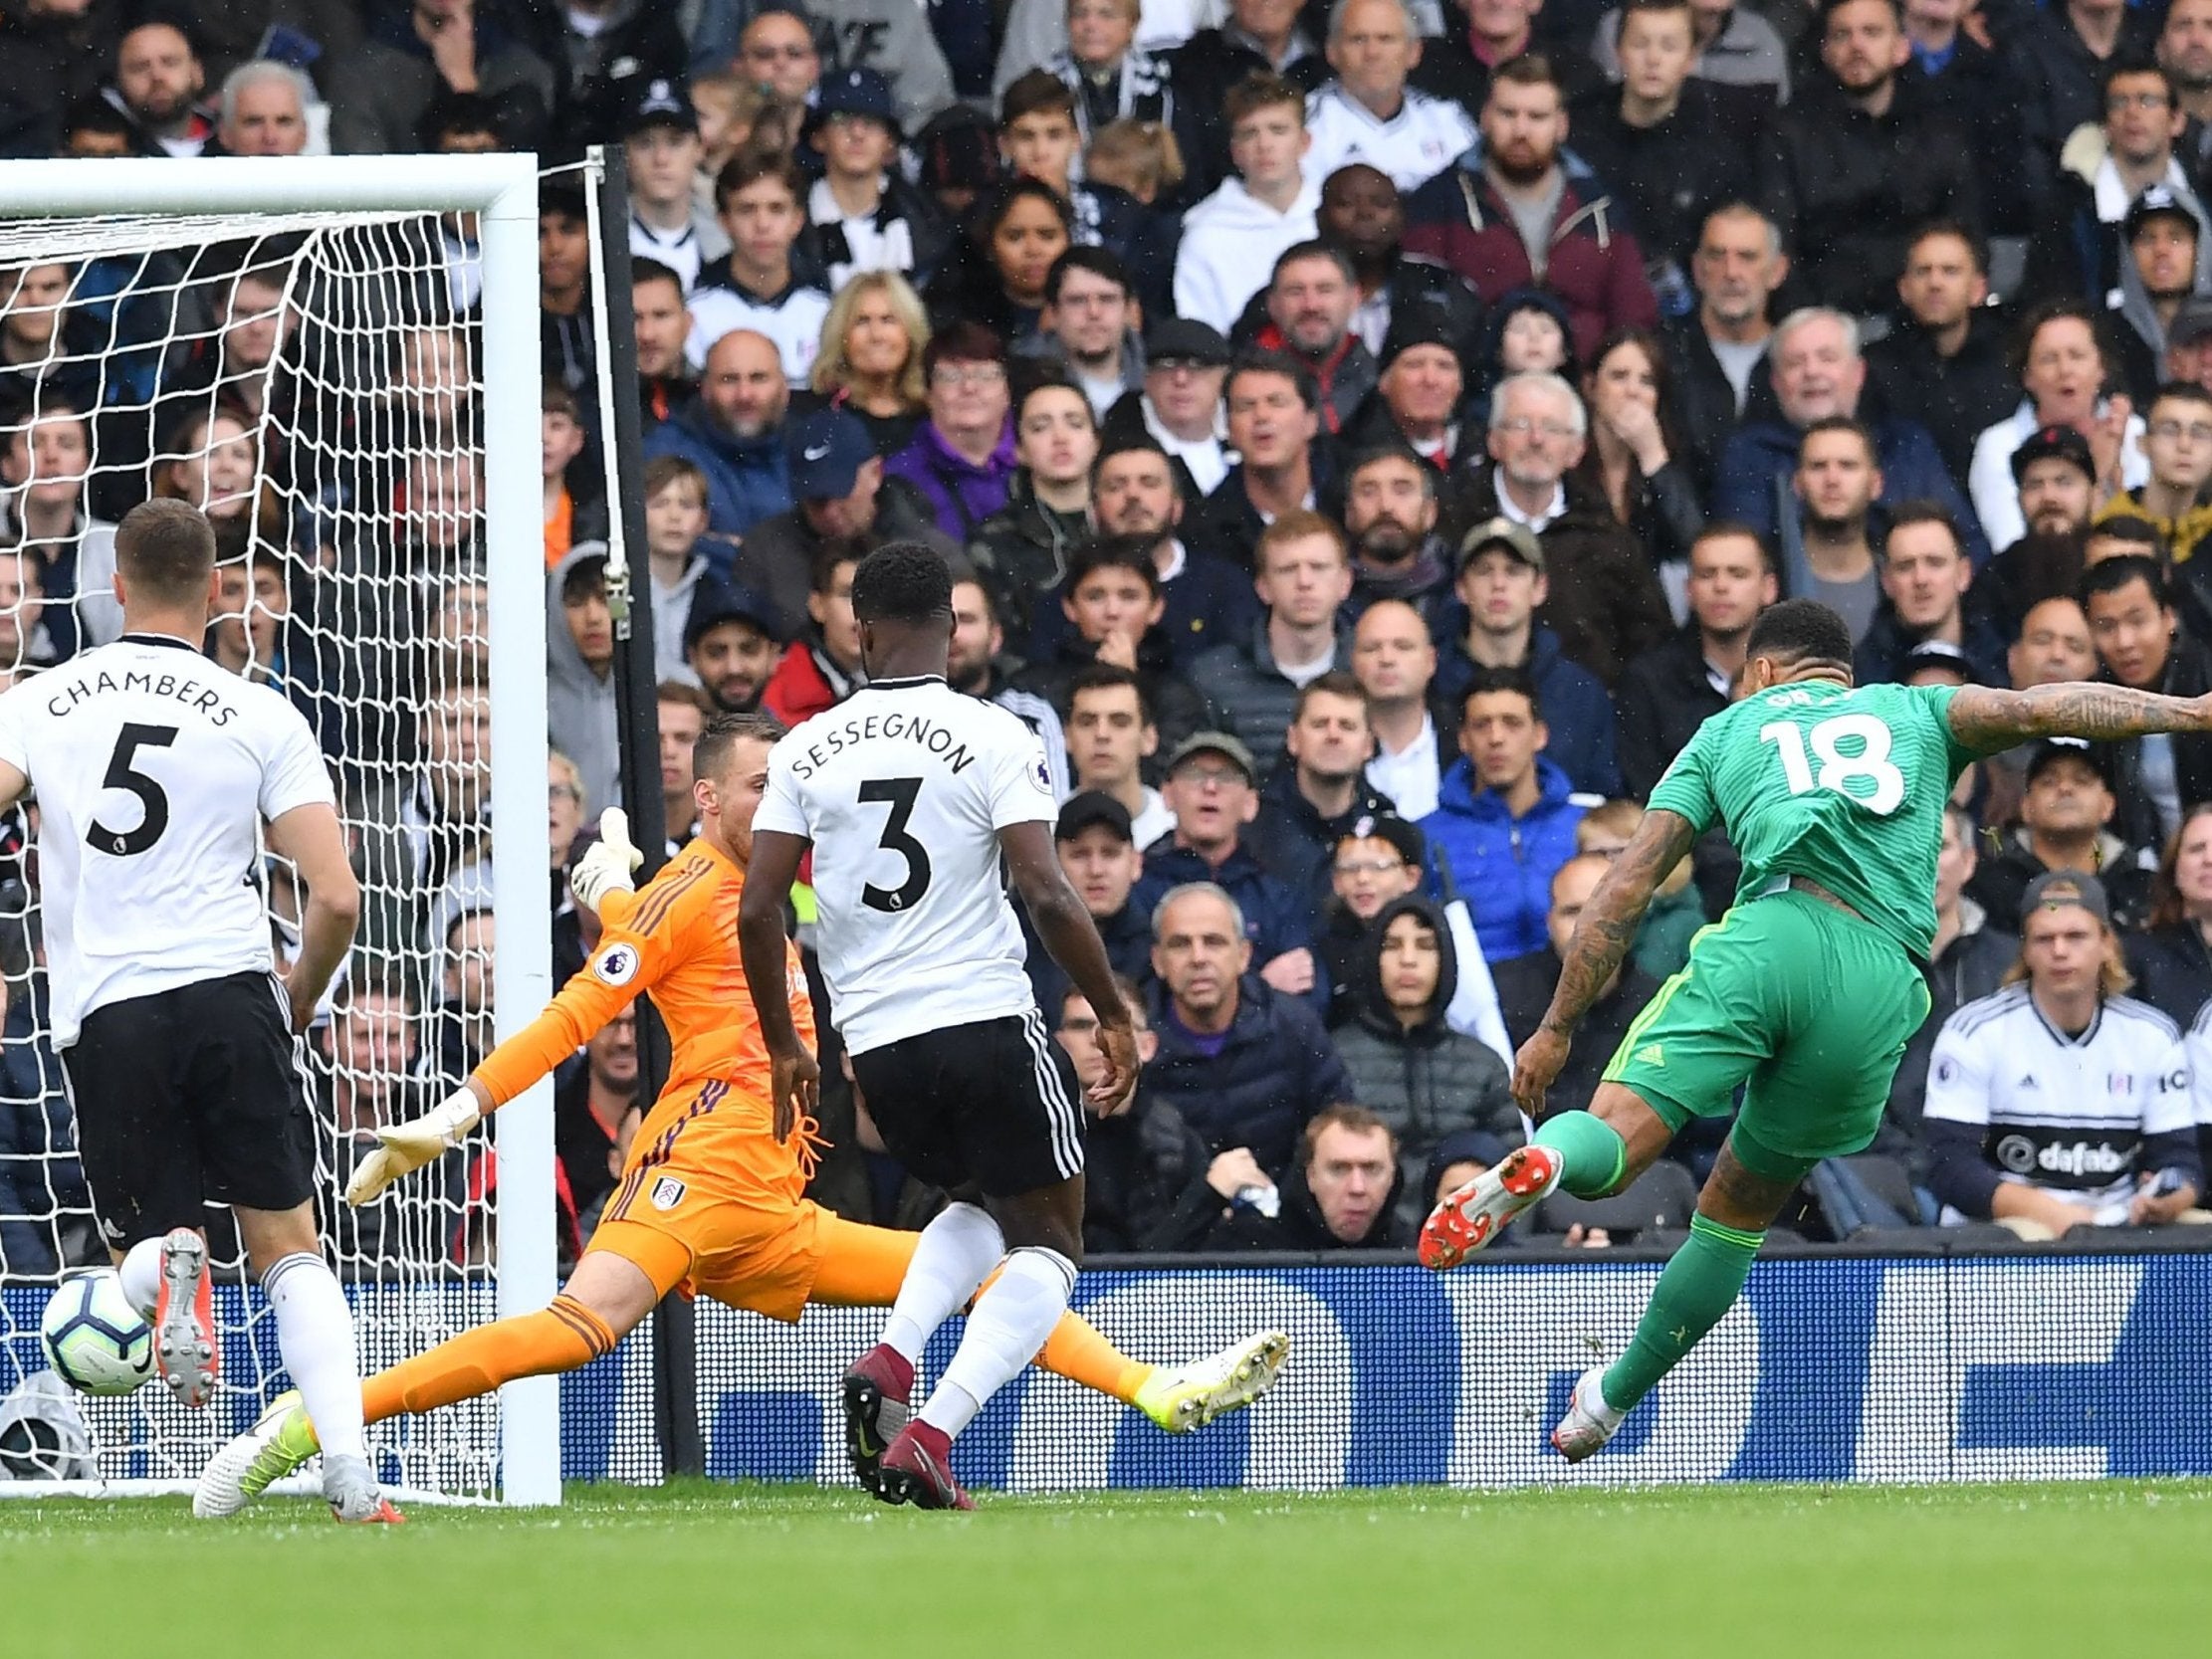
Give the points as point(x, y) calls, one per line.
point(1364, 437)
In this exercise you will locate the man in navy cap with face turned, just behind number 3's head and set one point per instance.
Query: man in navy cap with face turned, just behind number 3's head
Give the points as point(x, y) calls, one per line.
point(839, 490)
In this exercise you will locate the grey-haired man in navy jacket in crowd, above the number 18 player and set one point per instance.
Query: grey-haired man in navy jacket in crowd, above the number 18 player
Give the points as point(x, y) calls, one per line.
point(1819, 375)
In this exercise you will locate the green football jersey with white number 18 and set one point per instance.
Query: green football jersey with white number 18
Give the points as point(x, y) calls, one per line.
point(1837, 784)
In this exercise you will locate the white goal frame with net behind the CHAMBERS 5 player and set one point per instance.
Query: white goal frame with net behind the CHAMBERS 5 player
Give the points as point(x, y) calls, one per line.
point(344, 377)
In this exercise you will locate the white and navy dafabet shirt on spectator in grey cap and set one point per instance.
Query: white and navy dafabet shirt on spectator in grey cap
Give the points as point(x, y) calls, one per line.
point(2063, 1114)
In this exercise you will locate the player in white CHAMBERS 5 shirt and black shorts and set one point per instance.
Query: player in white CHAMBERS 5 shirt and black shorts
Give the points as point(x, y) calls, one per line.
point(154, 775)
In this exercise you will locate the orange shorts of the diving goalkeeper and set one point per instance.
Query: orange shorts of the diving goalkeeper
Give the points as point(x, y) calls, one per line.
point(711, 1204)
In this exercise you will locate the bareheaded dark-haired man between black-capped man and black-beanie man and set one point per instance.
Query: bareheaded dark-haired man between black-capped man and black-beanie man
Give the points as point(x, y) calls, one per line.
point(1275, 421)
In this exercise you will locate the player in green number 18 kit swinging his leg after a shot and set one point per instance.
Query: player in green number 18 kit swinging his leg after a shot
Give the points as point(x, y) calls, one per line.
point(1804, 994)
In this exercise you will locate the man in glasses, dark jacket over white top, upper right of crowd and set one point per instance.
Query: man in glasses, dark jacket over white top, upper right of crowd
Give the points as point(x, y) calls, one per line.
point(2080, 242)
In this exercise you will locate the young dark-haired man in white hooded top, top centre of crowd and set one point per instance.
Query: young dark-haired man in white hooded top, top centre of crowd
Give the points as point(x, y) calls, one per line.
point(1233, 240)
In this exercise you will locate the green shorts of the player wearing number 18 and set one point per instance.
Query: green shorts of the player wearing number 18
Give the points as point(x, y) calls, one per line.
point(1806, 1008)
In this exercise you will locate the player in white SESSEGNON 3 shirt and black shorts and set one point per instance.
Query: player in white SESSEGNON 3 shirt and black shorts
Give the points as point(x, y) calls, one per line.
point(910, 797)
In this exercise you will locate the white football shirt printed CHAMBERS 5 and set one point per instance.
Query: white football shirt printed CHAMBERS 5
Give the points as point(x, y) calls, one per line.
point(154, 773)
